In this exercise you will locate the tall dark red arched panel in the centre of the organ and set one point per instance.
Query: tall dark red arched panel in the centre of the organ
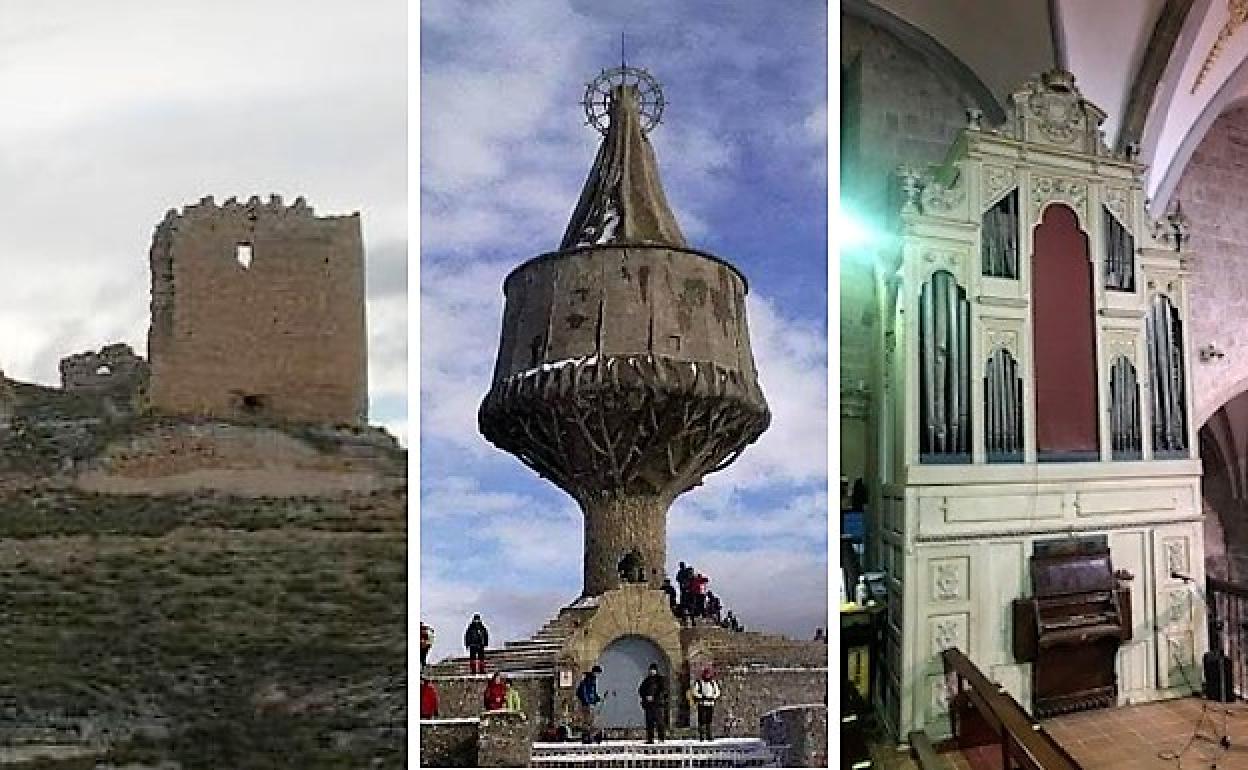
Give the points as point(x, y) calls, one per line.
point(1065, 336)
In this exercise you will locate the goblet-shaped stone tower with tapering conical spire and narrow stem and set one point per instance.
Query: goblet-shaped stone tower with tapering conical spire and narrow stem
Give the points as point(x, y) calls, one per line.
point(625, 373)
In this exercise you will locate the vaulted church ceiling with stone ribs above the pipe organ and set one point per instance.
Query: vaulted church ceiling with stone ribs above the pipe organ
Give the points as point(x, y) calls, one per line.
point(1164, 71)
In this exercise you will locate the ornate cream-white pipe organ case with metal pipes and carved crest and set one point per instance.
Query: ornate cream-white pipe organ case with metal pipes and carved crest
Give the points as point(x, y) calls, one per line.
point(1033, 386)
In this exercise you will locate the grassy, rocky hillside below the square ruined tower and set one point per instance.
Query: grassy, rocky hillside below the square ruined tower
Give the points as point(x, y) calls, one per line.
point(198, 593)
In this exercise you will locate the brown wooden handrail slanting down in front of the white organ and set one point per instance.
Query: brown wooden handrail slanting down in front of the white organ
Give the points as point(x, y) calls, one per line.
point(984, 714)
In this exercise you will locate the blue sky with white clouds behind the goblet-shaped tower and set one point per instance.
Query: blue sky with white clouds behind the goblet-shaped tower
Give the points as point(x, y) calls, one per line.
point(504, 157)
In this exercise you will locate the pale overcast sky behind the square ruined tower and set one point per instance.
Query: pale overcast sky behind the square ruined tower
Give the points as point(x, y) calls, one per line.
point(114, 113)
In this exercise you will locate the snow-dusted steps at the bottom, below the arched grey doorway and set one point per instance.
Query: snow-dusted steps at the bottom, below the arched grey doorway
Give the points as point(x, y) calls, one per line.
point(721, 753)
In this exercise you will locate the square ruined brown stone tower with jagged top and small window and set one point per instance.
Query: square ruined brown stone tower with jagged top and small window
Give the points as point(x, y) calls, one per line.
point(284, 336)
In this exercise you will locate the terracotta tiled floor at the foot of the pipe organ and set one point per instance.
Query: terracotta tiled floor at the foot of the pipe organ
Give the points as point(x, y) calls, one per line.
point(1149, 737)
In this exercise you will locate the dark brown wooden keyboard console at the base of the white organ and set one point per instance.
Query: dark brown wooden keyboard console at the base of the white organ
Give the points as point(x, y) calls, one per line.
point(1070, 631)
